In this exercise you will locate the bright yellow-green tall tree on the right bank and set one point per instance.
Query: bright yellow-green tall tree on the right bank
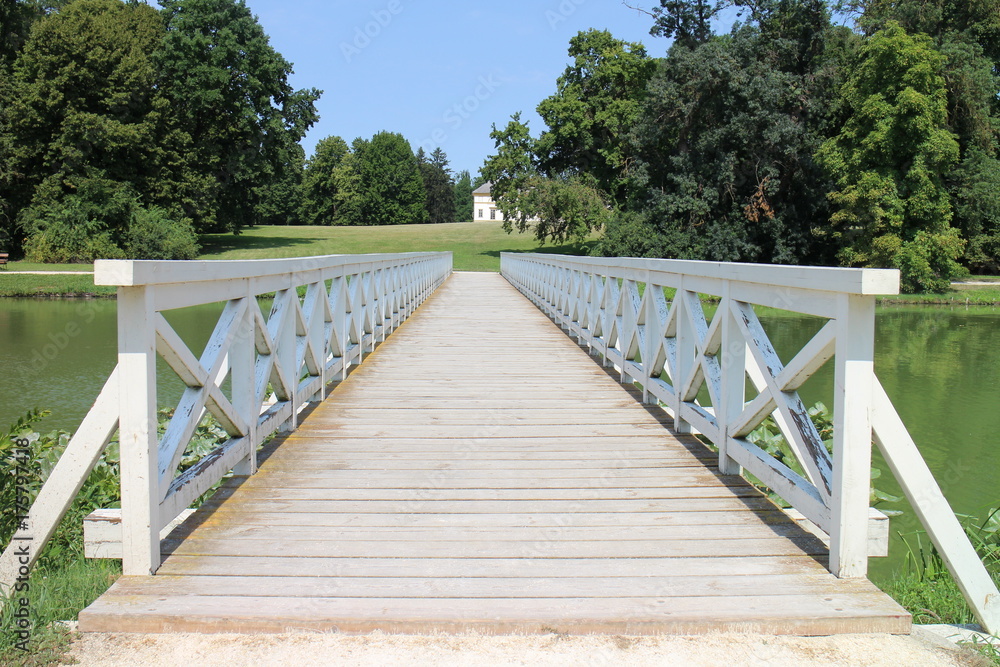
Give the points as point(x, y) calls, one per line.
point(890, 159)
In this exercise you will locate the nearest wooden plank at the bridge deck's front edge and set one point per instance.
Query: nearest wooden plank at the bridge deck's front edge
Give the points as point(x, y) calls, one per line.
point(778, 614)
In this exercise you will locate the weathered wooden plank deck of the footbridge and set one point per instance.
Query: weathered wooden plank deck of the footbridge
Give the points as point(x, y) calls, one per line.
point(449, 484)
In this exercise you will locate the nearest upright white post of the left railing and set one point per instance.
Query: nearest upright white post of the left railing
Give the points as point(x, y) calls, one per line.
point(137, 431)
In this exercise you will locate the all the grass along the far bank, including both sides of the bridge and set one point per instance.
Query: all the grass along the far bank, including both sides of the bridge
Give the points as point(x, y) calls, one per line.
point(476, 247)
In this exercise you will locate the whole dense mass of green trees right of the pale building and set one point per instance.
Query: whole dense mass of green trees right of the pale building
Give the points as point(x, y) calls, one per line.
point(791, 139)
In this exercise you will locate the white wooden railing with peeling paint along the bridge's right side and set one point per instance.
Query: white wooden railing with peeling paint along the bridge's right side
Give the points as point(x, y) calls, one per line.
point(667, 345)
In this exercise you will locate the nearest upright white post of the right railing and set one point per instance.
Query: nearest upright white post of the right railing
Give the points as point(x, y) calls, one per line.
point(852, 435)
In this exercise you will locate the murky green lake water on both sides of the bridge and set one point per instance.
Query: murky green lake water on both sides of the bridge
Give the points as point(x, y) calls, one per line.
point(940, 366)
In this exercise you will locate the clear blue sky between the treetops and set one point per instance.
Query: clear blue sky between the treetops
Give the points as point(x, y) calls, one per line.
point(440, 72)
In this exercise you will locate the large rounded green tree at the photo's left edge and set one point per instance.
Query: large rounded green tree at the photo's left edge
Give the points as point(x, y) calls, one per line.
point(81, 117)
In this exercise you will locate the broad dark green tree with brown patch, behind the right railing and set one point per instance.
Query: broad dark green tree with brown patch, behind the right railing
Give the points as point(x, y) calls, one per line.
point(724, 169)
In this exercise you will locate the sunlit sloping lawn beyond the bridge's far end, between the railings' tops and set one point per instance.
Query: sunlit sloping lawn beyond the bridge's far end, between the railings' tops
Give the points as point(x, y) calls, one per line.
point(476, 245)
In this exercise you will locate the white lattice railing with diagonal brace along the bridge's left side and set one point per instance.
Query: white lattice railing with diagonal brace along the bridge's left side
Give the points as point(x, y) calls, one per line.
point(275, 365)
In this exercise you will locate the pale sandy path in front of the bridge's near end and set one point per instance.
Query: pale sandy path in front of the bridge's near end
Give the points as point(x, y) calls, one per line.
point(302, 650)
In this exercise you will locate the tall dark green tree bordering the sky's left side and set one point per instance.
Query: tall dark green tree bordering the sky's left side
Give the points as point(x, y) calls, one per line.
point(234, 111)
